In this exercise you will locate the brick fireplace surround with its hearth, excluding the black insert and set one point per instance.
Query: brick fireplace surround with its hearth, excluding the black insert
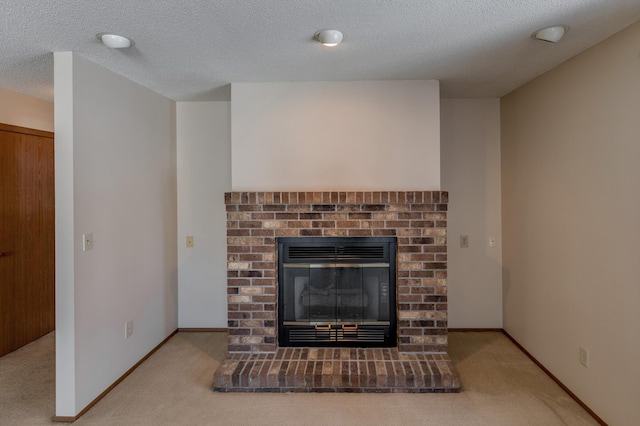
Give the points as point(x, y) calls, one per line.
point(418, 219)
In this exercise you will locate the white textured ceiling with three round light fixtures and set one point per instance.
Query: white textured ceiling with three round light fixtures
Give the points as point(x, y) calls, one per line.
point(192, 49)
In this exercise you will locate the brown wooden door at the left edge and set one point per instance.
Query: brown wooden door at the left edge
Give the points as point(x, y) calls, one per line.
point(27, 246)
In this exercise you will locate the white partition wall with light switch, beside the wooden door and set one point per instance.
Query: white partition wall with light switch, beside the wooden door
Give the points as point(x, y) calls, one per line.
point(115, 177)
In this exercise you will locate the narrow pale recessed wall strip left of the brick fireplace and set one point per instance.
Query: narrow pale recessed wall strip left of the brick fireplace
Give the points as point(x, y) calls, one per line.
point(204, 175)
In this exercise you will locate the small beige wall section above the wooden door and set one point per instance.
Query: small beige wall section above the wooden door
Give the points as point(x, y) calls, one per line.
point(21, 110)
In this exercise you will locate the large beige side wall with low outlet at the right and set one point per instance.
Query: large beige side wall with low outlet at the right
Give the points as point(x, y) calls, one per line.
point(571, 203)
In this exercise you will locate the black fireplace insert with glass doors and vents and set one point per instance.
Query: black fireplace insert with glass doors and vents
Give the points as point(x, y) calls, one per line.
point(337, 292)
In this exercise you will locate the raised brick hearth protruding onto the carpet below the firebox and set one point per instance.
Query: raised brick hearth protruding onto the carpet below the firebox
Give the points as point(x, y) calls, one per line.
point(380, 370)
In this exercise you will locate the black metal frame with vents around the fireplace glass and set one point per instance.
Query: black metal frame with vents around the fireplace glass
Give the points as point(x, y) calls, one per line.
point(356, 251)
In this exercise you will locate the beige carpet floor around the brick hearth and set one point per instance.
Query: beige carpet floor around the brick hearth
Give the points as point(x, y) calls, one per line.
point(501, 386)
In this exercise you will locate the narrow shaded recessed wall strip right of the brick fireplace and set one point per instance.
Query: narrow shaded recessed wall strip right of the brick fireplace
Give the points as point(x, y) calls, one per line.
point(470, 169)
